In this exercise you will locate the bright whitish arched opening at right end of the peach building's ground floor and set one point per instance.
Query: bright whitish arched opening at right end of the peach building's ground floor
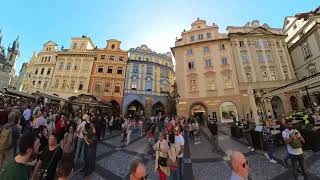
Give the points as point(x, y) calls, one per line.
point(228, 112)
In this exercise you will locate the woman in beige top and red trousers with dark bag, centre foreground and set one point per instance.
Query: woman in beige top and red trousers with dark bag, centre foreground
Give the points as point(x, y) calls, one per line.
point(161, 165)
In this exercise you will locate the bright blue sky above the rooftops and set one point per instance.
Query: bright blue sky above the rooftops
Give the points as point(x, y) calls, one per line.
point(134, 22)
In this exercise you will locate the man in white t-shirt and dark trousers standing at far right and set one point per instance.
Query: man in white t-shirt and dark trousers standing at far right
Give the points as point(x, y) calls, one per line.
point(293, 139)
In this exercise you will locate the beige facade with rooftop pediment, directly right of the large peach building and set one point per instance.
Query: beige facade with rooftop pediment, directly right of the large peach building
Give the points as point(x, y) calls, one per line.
point(263, 63)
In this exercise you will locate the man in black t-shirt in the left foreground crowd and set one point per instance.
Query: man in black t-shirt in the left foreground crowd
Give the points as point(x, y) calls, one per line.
point(50, 158)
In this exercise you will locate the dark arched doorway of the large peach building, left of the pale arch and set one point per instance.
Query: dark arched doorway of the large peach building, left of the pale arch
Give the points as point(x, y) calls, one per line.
point(200, 111)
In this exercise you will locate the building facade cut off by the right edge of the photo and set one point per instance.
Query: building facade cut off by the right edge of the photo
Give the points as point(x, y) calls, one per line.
point(303, 40)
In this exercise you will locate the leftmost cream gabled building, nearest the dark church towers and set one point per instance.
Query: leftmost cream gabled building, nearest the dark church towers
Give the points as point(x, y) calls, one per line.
point(39, 70)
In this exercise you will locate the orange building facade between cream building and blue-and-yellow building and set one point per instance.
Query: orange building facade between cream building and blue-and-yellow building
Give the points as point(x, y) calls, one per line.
point(108, 73)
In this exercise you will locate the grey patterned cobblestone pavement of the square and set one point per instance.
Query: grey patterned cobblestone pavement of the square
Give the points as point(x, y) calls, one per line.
point(200, 163)
